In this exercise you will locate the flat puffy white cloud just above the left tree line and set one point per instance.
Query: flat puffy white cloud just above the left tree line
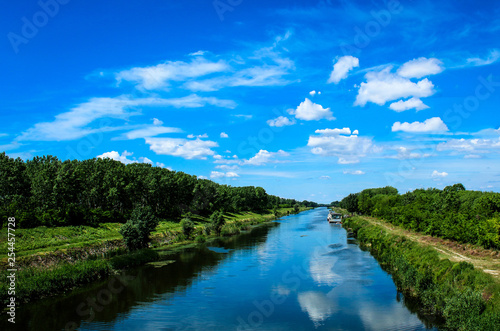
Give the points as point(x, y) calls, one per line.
point(188, 149)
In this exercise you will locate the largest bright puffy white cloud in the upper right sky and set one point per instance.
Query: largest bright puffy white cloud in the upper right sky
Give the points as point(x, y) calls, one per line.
point(383, 86)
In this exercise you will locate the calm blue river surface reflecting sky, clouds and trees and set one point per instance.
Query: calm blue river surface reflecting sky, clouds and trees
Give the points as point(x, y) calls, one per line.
point(299, 273)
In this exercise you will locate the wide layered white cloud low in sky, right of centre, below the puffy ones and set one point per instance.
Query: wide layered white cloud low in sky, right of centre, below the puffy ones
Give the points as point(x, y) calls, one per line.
point(348, 148)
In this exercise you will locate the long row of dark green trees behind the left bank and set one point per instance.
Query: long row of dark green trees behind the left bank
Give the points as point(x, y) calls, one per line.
point(50, 192)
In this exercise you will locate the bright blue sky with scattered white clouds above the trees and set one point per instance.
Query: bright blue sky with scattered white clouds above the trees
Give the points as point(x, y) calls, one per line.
point(308, 99)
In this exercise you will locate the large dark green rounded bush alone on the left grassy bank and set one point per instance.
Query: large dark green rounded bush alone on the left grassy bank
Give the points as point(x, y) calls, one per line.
point(138, 228)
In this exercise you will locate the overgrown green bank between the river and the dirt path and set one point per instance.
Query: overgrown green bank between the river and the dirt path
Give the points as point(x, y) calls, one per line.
point(464, 297)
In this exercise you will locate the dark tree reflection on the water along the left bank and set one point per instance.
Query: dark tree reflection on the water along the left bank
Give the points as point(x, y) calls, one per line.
point(149, 284)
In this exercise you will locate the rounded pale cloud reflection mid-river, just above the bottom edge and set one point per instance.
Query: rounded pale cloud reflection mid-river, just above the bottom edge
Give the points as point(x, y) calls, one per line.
point(317, 305)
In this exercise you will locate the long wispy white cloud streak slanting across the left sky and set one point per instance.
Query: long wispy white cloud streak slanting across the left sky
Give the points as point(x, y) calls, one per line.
point(74, 124)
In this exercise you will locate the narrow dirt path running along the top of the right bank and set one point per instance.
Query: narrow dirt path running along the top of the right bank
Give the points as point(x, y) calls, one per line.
point(484, 259)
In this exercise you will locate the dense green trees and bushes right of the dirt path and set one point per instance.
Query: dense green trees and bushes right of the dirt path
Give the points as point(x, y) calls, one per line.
point(452, 213)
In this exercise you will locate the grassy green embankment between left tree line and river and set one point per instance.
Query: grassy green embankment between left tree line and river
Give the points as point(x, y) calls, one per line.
point(50, 261)
